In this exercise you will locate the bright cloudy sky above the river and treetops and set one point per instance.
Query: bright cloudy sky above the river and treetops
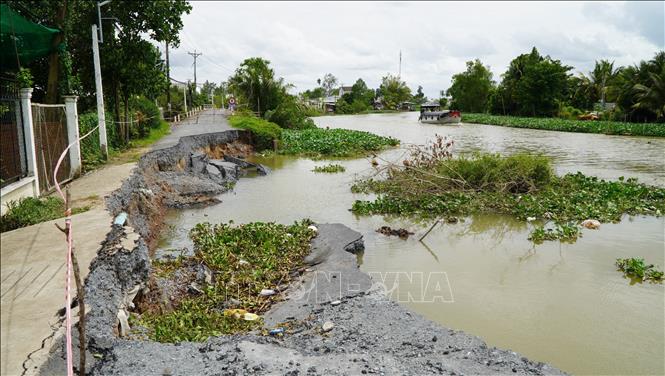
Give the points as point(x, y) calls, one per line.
point(304, 41)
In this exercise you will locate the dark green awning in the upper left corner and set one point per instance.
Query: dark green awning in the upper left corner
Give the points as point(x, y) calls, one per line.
point(22, 39)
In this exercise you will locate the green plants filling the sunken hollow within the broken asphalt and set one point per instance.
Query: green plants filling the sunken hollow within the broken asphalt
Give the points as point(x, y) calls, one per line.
point(245, 261)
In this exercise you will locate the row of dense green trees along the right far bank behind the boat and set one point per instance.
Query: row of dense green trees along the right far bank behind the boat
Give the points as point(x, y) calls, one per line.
point(542, 86)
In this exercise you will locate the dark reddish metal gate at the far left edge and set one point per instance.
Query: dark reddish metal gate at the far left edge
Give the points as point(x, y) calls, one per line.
point(13, 162)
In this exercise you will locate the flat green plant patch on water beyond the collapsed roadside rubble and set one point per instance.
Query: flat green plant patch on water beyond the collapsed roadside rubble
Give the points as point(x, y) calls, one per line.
point(332, 142)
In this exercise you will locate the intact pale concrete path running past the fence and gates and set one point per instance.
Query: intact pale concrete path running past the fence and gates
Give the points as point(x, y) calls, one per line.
point(33, 258)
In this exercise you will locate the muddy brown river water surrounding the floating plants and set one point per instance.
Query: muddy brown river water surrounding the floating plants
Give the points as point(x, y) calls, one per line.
point(559, 303)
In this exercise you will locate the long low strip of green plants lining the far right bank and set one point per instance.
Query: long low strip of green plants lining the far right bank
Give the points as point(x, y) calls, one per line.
point(555, 124)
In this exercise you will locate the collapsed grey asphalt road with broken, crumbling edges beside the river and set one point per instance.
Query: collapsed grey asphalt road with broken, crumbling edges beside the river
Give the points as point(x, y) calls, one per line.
point(341, 323)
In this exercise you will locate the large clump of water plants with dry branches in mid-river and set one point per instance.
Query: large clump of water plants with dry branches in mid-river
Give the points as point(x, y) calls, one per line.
point(433, 184)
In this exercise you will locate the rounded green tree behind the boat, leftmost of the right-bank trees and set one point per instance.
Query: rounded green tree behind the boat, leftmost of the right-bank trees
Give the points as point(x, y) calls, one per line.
point(470, 89)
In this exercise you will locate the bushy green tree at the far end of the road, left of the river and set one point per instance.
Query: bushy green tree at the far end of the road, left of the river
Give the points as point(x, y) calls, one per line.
point(256, 83)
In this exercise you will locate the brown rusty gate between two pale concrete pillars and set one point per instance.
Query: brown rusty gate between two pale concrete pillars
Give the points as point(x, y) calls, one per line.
point(50, 125)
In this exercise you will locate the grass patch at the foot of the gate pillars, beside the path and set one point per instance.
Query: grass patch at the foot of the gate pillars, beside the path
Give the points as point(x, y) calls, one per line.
point(32, 210)
